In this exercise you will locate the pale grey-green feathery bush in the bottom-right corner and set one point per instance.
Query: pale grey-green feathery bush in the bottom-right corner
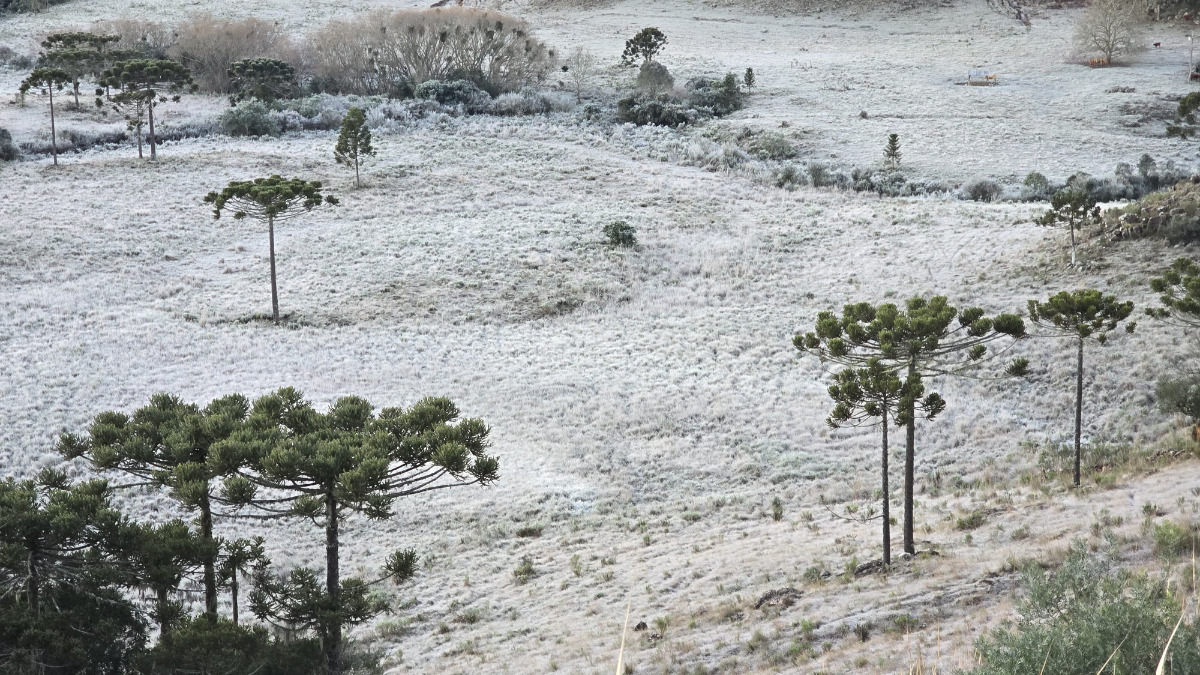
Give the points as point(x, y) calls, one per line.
point(1073, 619)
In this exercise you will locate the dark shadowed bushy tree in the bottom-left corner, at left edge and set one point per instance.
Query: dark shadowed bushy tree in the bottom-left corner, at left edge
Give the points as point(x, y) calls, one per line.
point(62, 552)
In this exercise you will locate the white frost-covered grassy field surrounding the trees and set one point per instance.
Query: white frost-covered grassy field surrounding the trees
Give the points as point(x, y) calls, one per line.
point(622, 387)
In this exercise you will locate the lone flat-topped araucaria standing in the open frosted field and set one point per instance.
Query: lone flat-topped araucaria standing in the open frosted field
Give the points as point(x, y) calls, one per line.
point(269, 200)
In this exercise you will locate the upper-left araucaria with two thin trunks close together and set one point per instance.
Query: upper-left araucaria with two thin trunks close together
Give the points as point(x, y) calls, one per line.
point(140, 82)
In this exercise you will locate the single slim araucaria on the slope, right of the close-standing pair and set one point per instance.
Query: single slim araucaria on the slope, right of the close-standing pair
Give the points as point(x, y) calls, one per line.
point(1081, 315)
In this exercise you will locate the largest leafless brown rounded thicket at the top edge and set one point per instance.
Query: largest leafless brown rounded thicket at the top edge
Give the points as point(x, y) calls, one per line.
point(388, 53)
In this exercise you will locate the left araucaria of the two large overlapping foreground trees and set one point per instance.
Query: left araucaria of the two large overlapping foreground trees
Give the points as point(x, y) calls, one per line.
point(169, 444)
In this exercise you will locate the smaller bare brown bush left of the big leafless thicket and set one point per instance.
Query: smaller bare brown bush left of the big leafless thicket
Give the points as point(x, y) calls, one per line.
point(208, 46)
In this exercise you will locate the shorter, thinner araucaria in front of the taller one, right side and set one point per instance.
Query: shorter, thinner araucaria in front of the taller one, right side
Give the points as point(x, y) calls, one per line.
point(862, 395)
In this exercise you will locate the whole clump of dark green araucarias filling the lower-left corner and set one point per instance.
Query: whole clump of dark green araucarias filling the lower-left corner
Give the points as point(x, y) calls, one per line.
point(74, 566)
